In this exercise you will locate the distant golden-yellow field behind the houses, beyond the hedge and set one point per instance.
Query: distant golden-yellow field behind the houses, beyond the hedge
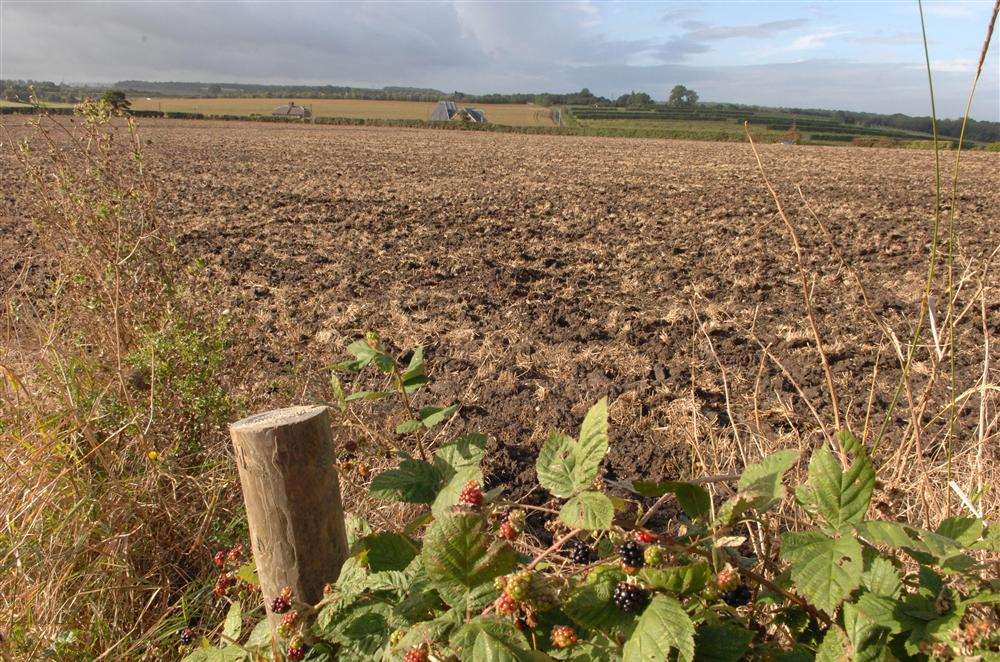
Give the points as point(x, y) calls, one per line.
point(511, 114)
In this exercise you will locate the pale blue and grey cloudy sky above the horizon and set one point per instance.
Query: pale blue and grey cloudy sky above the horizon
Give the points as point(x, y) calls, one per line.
point(820, 54)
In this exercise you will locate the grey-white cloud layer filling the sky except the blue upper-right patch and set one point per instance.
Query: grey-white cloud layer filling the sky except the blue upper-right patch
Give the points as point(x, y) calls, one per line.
point(474, 47)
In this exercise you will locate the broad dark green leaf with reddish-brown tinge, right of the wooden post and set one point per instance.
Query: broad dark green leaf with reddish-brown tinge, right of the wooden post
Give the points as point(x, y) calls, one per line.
point(460, 556)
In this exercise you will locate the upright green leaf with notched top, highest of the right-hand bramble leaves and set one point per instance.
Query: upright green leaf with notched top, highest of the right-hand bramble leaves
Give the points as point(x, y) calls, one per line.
point(836, 496)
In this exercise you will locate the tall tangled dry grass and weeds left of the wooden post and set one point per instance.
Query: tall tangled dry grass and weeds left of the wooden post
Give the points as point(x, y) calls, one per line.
point(111, 406)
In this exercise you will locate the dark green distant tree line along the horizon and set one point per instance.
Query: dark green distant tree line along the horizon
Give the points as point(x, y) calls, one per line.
point(680, 97)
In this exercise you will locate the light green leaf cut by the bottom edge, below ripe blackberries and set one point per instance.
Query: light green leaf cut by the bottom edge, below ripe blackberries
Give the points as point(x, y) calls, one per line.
point(663, 626)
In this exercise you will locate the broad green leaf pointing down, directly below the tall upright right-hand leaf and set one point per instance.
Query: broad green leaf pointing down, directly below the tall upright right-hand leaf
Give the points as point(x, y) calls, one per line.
point(824, 569)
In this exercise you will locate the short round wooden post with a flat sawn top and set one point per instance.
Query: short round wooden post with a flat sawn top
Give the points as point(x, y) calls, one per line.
point(292, 495)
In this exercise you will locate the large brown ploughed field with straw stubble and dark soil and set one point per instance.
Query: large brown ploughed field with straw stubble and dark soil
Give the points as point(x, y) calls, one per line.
point(543, 272)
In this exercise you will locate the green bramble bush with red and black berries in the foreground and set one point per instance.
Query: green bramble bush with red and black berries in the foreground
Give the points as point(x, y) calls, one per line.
point(724, 579)
